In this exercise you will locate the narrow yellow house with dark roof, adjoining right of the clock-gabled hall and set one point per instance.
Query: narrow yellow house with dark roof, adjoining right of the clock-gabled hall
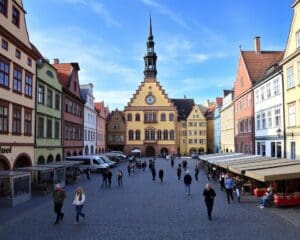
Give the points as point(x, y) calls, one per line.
point(184, 107)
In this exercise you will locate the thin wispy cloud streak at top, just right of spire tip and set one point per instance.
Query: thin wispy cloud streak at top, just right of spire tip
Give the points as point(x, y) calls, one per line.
point(166, 11)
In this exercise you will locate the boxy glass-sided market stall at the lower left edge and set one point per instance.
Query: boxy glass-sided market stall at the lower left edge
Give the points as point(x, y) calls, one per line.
point(14, 188)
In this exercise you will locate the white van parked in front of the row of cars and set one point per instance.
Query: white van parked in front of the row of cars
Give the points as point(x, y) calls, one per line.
point(93, 162)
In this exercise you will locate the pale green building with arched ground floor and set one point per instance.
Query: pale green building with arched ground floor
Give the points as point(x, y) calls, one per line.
point(48, 137)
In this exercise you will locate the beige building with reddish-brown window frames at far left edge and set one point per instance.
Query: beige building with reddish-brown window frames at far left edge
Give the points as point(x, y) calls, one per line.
point(17, 87)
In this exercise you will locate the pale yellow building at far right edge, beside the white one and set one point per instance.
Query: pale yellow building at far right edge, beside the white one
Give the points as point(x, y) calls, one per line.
point(291, 75)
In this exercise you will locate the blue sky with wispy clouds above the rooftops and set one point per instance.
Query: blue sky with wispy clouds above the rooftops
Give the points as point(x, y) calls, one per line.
point(197, 42)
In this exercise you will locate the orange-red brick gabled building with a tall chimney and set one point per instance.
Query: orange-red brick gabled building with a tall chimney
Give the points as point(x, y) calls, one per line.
point(251, 67)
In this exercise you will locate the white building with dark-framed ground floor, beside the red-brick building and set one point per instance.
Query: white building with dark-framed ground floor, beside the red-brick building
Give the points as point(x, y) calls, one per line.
point(269, 115)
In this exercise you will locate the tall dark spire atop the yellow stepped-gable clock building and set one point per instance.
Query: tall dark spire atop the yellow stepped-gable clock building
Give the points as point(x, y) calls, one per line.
point(150, 57)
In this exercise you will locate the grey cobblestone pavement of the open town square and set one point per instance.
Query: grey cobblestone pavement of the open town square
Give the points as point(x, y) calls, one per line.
point(146, 209)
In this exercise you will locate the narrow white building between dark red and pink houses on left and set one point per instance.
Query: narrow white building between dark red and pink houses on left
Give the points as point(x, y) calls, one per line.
point(90, 119)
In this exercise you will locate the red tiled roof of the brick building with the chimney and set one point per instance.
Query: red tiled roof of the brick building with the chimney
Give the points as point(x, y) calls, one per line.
point(257, 63)
